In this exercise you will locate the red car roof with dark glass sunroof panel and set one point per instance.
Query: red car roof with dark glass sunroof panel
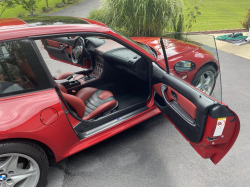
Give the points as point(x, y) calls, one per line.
point(9, 26)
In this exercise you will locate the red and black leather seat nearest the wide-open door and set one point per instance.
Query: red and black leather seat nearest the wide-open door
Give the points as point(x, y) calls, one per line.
point(89, 102)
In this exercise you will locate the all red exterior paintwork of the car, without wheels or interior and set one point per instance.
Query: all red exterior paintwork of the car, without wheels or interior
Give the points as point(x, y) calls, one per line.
point(29, 112)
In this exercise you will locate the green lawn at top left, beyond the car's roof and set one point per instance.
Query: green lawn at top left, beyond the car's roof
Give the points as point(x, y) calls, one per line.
point(18, 9)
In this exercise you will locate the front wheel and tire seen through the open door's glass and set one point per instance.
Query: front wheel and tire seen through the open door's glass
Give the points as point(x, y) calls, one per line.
point(209, 71)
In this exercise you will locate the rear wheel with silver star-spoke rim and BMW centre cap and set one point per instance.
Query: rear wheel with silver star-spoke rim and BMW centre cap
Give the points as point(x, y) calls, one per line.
point(27, 157)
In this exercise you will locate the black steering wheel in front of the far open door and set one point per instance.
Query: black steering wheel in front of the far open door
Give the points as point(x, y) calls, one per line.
point(78, 50)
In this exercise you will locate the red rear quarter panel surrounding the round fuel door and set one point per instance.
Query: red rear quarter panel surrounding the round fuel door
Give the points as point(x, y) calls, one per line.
point(20, 118)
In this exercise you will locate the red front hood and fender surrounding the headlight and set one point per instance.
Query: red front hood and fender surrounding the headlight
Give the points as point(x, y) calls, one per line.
point(177, 51)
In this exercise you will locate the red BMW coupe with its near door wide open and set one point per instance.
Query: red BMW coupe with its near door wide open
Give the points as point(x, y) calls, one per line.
point(68, 83)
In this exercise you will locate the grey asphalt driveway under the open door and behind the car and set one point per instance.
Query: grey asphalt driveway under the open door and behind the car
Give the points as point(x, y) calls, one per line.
point(153, 153)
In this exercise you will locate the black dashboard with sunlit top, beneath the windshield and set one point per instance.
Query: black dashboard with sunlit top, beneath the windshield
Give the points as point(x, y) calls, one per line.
point(115, 54)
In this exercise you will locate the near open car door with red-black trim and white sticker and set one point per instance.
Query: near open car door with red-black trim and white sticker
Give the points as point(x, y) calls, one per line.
point(209, 125)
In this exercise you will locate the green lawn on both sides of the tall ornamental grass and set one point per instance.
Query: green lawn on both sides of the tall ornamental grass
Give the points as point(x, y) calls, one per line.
point(215, 14)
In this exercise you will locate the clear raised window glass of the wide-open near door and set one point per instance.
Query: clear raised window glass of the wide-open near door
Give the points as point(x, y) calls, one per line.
point(193, 58)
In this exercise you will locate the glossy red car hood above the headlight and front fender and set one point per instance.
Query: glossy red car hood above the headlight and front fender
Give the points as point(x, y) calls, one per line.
point(173, 47)
